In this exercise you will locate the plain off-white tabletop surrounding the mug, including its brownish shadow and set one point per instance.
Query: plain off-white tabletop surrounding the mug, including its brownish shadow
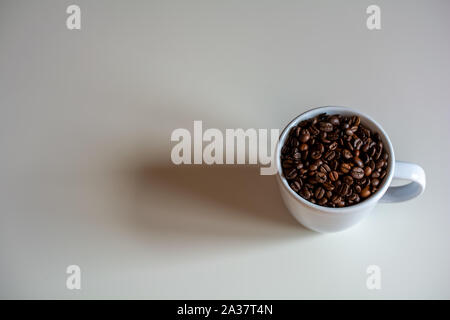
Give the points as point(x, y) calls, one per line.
point(85, 124)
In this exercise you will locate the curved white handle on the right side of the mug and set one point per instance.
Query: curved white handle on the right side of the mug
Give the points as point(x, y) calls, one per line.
point(408, 171)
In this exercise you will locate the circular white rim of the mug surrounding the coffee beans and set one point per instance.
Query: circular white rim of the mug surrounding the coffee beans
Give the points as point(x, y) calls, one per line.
point(372, 199)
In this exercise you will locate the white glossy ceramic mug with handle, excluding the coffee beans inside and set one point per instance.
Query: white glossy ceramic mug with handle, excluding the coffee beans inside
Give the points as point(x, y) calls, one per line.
point(325, 219)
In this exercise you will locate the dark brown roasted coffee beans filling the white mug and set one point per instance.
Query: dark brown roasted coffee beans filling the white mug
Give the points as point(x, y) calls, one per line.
point(333, 160)
